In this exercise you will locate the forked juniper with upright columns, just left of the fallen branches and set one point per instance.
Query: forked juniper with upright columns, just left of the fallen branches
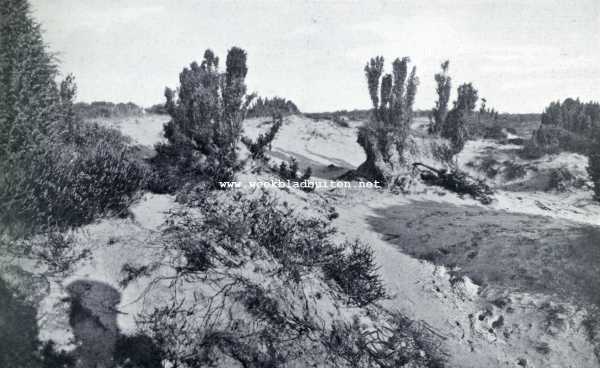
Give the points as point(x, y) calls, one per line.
point(383, 138)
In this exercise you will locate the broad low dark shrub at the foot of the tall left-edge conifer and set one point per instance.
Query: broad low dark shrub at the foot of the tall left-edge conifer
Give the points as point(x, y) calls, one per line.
point(69, 185)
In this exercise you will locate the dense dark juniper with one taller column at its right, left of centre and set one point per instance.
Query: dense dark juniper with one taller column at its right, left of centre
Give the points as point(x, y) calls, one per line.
point(206, 123)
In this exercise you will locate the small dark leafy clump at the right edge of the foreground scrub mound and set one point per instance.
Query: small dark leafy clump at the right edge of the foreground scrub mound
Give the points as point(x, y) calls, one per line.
point(356, 273)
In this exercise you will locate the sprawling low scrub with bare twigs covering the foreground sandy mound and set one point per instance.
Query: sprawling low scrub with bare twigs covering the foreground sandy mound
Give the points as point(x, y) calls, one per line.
point(257, 269)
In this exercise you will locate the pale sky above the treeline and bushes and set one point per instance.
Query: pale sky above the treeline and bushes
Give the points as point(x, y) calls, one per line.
point(520, 54)
